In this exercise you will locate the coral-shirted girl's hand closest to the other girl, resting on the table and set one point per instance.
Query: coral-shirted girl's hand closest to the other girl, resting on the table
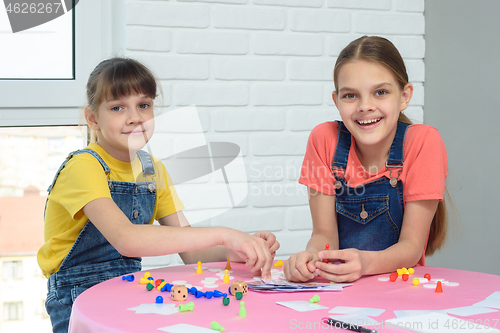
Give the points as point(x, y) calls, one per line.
point(300, 266)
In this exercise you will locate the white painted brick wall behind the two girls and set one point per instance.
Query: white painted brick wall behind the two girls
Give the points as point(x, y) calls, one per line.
point(260, 74)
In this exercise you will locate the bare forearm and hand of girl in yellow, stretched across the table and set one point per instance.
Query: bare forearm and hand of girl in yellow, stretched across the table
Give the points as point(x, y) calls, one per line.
point(133, 240)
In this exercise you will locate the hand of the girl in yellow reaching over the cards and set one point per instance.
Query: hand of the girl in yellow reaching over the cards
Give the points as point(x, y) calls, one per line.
point(254, 251)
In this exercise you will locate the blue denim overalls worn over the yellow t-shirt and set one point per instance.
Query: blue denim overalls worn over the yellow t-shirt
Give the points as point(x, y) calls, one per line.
point(92, 259)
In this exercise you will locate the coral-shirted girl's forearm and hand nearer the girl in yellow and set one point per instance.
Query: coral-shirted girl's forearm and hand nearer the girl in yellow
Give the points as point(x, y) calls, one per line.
point(300, 266)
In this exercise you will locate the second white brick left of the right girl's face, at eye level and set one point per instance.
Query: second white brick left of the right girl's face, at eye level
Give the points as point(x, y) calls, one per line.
point(211, 94)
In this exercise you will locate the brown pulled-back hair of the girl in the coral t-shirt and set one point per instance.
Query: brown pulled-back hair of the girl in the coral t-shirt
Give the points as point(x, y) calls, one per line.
point(382, 51)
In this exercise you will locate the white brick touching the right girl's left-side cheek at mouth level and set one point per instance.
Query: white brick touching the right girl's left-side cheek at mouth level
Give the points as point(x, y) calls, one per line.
point(306, 120)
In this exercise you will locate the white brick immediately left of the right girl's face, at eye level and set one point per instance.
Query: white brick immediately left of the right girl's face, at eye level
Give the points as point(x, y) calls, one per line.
point(287, 94)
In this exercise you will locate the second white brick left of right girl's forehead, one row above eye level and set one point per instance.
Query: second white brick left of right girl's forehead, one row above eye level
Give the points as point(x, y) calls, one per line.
point(249, 69)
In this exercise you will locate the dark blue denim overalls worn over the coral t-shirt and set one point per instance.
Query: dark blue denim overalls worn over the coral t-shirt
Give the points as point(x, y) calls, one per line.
point(369, 216)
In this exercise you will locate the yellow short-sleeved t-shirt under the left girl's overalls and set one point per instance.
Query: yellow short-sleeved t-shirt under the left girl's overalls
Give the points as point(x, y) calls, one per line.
point(82, 180)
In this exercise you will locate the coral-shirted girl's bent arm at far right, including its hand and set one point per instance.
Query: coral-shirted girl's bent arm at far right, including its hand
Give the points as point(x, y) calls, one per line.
point(406, 252)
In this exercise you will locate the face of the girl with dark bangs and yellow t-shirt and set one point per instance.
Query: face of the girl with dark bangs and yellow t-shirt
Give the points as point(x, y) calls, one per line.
point(124, 125)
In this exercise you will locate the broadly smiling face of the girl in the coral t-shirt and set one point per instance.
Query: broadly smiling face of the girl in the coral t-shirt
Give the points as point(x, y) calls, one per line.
point(369, 100)
